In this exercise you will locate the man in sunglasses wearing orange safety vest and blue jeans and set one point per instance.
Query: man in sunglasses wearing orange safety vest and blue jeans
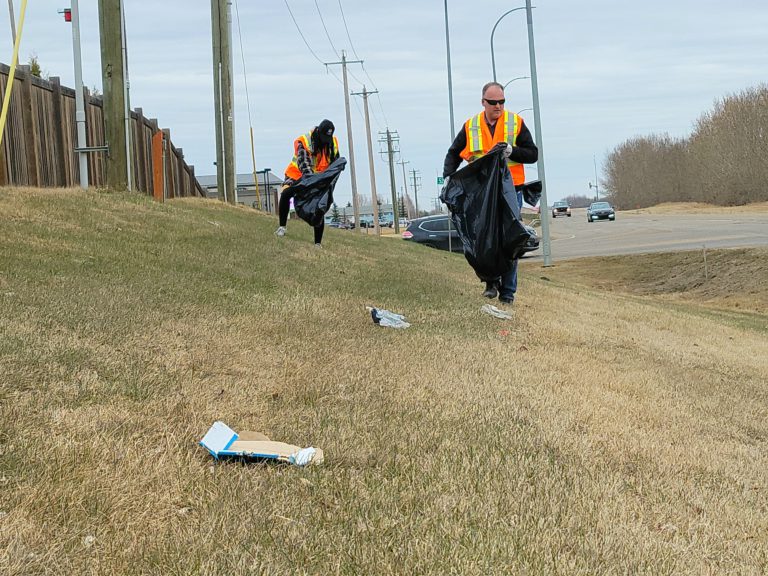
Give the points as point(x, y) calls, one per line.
point(494, 126)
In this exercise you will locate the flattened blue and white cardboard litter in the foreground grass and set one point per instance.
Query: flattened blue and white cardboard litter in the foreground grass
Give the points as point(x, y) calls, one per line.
point(223, 442)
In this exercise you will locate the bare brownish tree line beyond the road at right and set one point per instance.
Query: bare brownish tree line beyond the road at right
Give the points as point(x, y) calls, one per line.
point(723, 162)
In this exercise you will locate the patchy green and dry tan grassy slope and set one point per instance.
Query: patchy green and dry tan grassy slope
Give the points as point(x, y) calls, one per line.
point(629, 441)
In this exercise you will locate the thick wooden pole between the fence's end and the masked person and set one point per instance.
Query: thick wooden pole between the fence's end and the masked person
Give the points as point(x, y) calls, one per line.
point(223, 96)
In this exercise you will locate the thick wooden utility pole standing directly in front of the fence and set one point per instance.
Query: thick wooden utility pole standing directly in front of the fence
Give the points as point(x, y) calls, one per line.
point(113, 79)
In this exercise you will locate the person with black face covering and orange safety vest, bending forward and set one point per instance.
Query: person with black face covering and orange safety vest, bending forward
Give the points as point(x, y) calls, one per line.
point(312, 152)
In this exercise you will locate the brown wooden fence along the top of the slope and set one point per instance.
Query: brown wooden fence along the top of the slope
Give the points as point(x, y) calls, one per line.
point(40, 138)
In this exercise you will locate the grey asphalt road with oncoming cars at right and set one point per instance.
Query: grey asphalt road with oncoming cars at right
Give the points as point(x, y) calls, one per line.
point(633, 233)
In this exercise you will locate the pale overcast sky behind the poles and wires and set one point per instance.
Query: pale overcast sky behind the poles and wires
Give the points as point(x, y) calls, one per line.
point(607, 71)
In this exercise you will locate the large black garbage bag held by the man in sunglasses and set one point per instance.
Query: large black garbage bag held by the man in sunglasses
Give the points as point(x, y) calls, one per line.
point(483, 203)
